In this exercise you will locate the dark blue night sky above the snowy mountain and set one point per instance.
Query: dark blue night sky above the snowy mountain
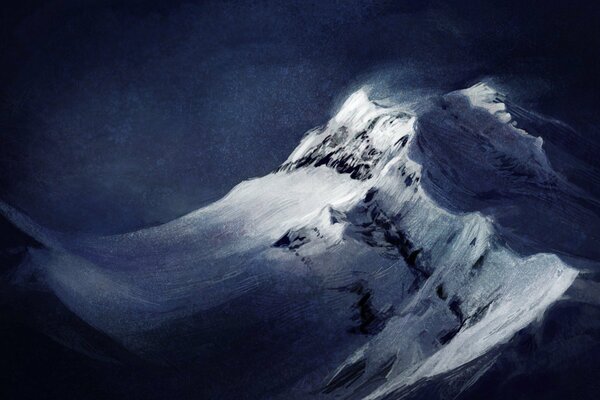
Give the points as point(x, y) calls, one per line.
point(117, 115)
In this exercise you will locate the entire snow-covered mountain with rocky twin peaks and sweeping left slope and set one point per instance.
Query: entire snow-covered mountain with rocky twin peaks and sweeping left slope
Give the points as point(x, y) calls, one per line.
point(379, 254)
